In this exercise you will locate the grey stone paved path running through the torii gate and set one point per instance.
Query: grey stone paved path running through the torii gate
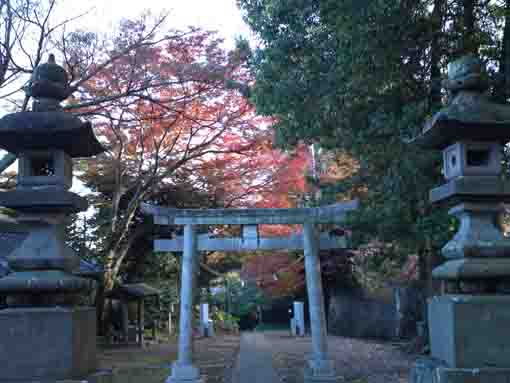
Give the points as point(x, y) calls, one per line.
point(255, 361)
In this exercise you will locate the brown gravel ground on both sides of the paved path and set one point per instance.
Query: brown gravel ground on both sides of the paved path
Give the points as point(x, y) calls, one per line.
point(357, 360)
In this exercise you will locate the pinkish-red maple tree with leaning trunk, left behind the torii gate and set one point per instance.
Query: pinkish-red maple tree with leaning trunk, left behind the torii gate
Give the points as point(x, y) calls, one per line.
point(182, 116)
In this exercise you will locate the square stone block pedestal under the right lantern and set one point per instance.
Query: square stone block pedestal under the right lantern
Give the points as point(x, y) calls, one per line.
point(469, 339)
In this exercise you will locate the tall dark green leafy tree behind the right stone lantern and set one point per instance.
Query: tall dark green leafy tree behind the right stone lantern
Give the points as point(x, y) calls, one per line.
point(361, 77)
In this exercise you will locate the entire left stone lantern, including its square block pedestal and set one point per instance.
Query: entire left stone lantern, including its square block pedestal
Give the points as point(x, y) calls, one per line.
point(44, 334)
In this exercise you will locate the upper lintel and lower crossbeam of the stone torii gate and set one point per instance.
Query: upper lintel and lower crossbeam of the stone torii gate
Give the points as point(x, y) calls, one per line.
point(249, 219)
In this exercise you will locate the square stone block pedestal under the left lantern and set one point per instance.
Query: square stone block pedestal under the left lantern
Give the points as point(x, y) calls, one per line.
point(47, 343)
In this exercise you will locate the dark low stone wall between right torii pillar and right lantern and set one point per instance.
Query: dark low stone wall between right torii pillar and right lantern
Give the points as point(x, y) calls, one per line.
point(356, 314)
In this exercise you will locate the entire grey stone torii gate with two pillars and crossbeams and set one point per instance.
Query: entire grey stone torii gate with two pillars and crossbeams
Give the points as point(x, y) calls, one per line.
point(320, 367)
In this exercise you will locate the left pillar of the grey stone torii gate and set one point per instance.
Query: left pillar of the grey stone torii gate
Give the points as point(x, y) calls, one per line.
point(183, 370)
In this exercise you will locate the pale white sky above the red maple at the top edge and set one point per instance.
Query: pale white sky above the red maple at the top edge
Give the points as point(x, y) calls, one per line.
point(219, 15)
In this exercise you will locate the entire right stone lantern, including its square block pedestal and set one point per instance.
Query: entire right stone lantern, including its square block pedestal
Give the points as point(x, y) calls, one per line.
point(469, 324)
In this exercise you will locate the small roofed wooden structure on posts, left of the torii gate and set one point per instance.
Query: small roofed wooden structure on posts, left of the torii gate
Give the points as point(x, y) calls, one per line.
point(135, 292)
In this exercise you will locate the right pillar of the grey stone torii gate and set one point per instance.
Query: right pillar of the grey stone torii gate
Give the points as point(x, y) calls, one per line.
point(319, 369)
